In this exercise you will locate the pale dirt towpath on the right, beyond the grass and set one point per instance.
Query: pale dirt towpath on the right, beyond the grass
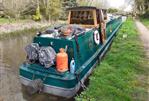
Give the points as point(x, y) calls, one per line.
point(144, 35)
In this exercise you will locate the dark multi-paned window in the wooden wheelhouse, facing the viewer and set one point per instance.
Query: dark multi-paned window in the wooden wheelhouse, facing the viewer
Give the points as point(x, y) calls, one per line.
point(82, 17)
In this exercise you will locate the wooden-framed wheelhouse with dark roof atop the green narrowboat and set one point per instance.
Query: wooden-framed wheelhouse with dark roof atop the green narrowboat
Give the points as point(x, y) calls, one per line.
point(87, 16)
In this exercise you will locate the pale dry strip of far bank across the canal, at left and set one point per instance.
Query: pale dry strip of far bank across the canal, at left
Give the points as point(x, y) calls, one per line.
point(6, 28)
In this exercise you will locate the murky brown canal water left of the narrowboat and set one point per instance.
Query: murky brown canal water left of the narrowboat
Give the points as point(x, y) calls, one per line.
point(12, 54)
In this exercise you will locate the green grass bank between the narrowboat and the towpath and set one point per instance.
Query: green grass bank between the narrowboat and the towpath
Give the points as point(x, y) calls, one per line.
point(122, 74)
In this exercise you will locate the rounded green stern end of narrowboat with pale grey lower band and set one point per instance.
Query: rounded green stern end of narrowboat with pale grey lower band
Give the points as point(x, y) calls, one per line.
point(60, 84)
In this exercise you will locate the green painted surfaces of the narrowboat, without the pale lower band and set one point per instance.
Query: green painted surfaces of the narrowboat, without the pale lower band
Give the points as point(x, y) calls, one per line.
point(85, 58)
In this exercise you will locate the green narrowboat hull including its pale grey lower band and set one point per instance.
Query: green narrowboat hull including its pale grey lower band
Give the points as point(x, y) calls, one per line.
point(67, 84)
